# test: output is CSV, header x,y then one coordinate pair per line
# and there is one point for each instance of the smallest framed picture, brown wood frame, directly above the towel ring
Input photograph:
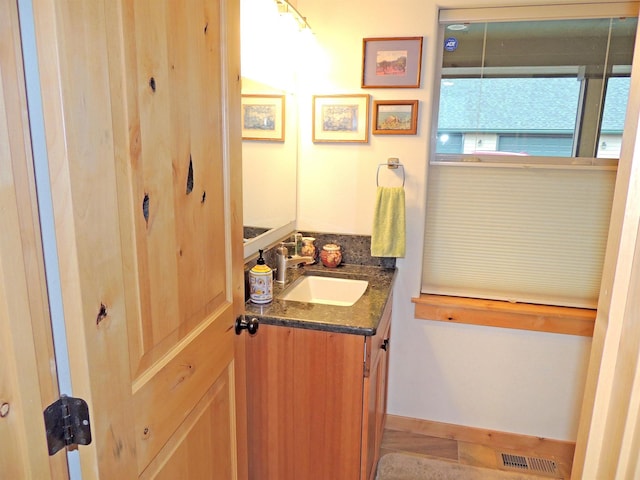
x,y
395,117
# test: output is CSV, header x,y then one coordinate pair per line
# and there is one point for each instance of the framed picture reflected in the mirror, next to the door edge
x,y
263,117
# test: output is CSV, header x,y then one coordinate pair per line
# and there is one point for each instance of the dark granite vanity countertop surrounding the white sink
x,y
362,318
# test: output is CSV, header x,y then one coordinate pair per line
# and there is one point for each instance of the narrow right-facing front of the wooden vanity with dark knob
x,y
375,395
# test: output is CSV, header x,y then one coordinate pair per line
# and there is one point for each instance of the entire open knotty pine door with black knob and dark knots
x,y
141,104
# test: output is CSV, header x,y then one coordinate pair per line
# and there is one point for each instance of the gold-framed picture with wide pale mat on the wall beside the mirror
x,y
341,118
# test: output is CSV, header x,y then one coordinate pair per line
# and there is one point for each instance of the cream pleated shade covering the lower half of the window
x,y
517,232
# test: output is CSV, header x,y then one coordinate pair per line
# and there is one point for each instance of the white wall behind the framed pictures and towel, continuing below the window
x,y
508,380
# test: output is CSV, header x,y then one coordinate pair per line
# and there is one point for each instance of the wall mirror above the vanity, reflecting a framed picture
x,y
269,164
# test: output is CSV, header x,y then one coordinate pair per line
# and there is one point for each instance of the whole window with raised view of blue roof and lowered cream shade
x,y
520,186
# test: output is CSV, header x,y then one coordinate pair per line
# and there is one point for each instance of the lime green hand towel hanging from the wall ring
x,y
388,236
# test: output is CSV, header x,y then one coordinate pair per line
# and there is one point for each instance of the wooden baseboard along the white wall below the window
x,y
560,450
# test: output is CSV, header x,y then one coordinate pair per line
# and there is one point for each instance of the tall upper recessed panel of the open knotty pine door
x,y
177,182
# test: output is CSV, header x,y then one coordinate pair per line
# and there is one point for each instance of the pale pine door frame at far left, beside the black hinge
x,y
28,383
